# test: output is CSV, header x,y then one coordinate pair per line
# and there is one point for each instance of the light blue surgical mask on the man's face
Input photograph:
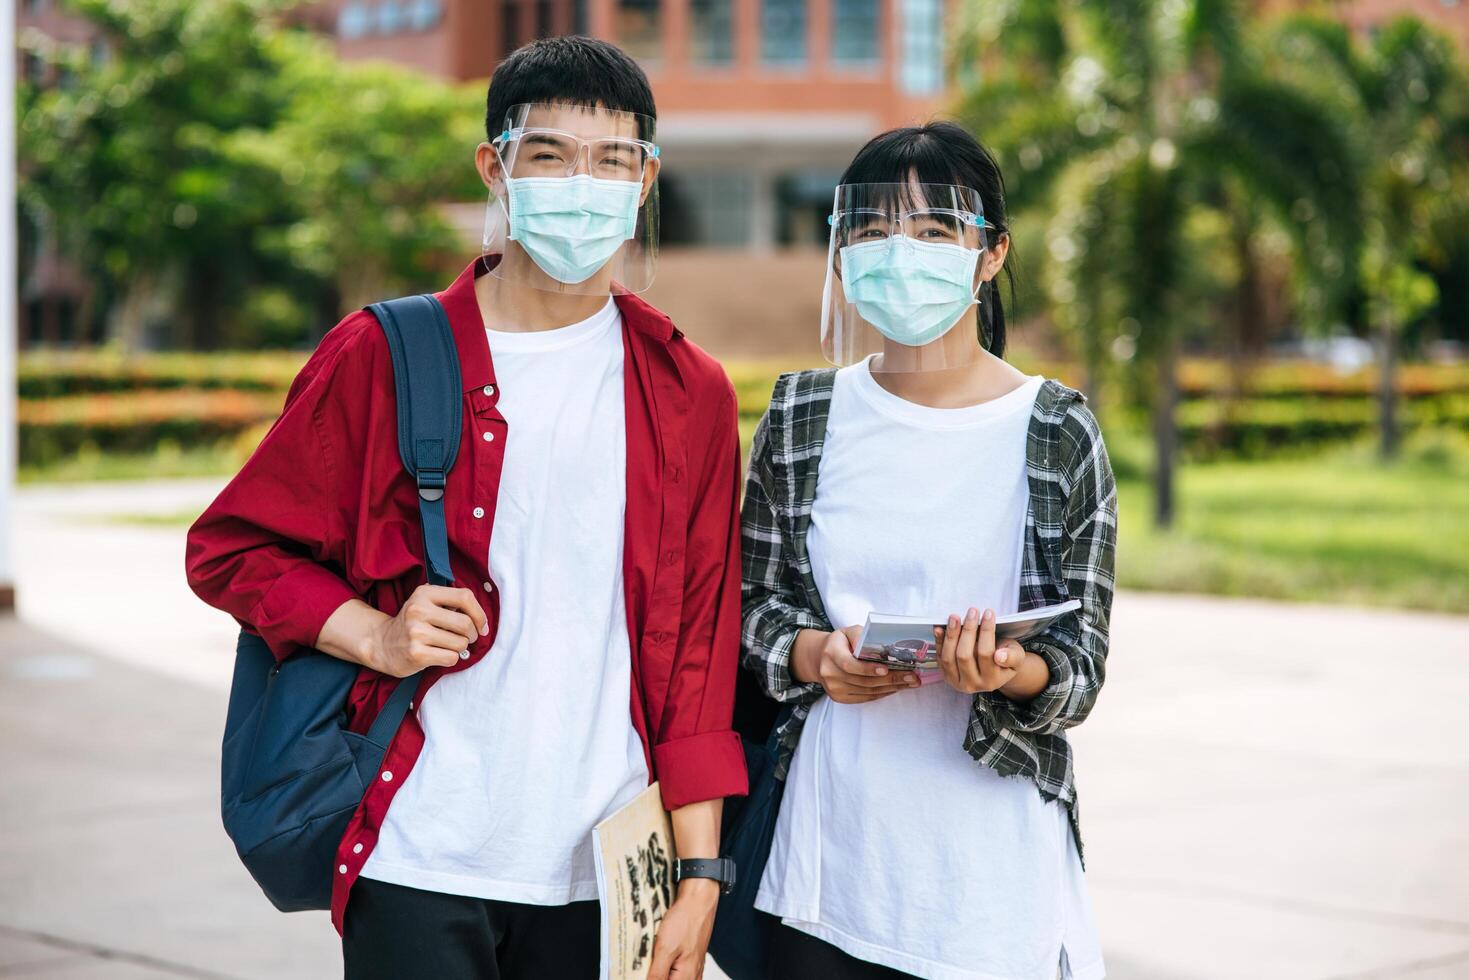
x,y
572,226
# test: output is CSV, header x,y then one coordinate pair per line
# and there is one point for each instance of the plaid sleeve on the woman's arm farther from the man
x,y
1076,647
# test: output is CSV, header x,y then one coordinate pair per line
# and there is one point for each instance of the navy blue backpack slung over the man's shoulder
x,y
292,774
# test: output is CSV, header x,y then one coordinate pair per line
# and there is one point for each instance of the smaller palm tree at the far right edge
x,y
1404,95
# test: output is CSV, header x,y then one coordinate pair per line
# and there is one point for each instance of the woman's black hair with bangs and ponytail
x,y
945,154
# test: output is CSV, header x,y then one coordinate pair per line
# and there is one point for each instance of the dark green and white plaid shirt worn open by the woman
x,y
1070,553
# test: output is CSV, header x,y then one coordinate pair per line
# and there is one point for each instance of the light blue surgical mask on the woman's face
x,y
912,292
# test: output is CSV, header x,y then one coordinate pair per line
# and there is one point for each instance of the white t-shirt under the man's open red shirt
x,y
531,747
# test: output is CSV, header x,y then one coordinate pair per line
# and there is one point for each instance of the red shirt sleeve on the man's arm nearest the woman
x,y
697,753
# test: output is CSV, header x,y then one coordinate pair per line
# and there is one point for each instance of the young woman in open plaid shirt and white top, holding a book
x,y
929,818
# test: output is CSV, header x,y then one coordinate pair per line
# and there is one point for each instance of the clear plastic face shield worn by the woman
x,y
904,273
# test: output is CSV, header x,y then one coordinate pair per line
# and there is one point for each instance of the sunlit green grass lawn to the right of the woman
x,y
1335,528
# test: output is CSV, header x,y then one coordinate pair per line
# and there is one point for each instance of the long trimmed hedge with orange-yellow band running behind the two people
x,y
133,405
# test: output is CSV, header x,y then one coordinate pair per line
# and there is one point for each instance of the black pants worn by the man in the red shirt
x,y
400,934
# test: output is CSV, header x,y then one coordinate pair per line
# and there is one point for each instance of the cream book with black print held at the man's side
x,y
634,854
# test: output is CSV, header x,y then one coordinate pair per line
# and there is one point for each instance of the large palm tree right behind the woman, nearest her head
x,y
1126,115
